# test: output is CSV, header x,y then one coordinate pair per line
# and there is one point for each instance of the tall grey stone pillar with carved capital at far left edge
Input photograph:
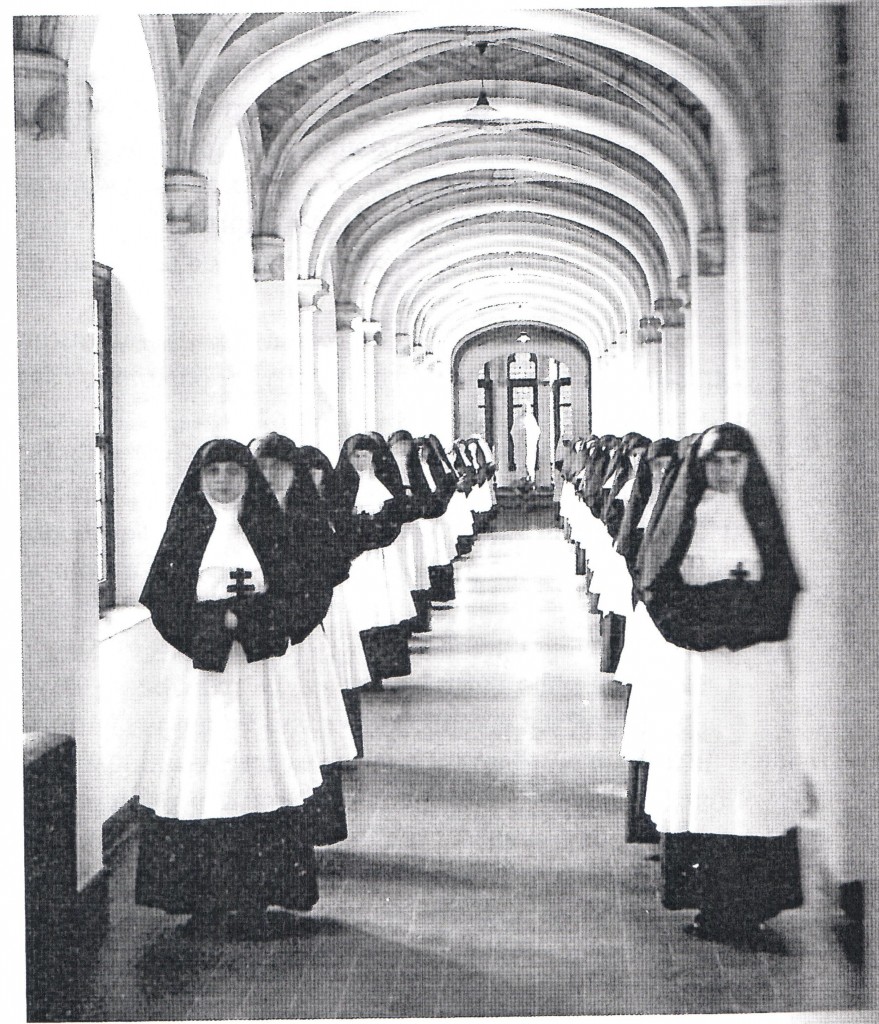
x,y
56,250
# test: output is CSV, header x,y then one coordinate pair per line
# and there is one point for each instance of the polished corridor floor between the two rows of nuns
x,y
486,874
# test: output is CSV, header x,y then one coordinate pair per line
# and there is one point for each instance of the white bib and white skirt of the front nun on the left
x,y
232,743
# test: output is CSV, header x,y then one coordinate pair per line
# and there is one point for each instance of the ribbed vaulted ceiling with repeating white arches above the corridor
x,y
615,141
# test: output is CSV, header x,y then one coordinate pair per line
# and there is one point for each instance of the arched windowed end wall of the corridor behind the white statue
x,y
500,368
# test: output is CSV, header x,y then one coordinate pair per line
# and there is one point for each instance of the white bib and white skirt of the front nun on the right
x,y
725,761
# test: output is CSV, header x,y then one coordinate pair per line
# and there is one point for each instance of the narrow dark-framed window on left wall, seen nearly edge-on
x,y
102,334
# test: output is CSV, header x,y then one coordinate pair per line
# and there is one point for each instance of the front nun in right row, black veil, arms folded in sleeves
x,y
726,789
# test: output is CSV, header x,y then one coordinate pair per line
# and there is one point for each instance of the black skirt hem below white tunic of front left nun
x,y
246,863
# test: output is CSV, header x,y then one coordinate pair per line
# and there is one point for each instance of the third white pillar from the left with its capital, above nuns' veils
x,y
277,363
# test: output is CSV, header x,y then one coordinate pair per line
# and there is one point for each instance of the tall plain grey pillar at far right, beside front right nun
x,y
818,494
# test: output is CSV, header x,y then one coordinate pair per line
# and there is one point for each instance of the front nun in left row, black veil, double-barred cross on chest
x,y
232,761
